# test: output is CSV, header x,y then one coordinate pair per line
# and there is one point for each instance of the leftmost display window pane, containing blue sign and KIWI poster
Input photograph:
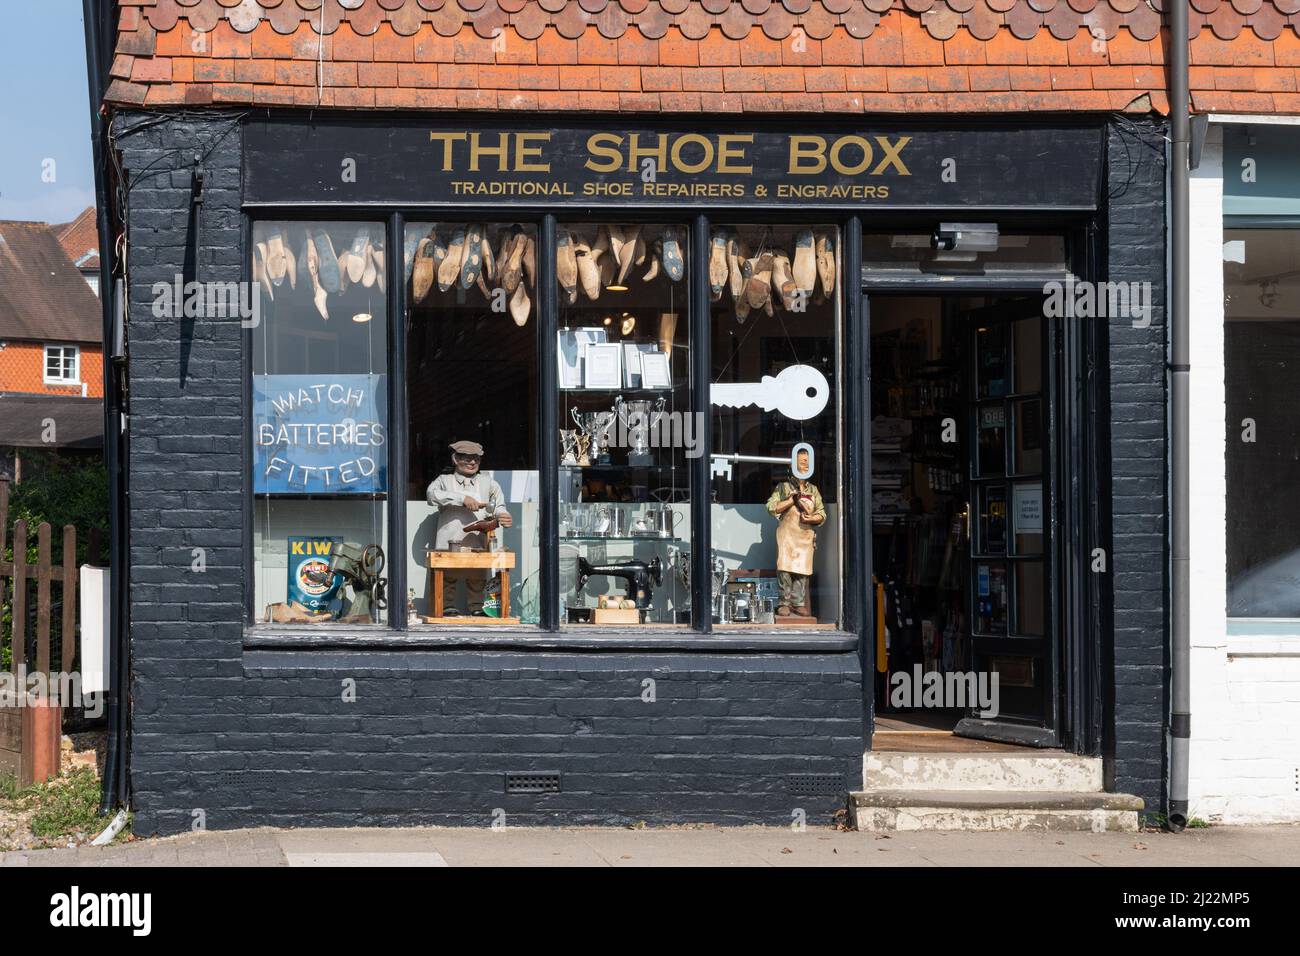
x,y
320,423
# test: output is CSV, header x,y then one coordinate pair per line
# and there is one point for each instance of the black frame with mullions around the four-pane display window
x,y
549,631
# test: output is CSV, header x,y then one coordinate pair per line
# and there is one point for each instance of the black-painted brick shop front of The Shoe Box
x,y
617,470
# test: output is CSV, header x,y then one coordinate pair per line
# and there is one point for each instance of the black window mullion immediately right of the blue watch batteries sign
x,y
398,432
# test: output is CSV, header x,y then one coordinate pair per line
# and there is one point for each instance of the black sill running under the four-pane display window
x,y
450,638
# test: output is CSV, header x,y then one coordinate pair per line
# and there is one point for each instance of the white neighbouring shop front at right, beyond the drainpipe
x,y
1246,616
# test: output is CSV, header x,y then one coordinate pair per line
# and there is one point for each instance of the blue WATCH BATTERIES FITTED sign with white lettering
x,y
320,435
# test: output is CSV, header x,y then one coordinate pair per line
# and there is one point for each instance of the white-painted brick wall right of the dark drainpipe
x,y
1246,689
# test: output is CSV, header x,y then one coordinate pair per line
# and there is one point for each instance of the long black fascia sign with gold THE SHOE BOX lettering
x,y
413,165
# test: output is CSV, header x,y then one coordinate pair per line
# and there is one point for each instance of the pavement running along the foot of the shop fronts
x,y
1264,846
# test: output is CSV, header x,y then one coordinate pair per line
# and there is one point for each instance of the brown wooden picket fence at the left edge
x,y
31,734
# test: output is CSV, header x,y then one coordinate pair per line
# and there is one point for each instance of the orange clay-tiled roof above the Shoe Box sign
x,y
691,55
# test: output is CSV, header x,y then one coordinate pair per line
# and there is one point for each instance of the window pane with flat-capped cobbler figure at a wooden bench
x,y
473,416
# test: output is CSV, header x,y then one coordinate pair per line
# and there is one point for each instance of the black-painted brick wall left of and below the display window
x,y
267,738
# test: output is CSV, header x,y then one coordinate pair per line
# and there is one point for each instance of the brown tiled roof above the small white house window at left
x,y
42,296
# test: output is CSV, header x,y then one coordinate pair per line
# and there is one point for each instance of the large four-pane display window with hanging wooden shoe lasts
x,y
629,429
